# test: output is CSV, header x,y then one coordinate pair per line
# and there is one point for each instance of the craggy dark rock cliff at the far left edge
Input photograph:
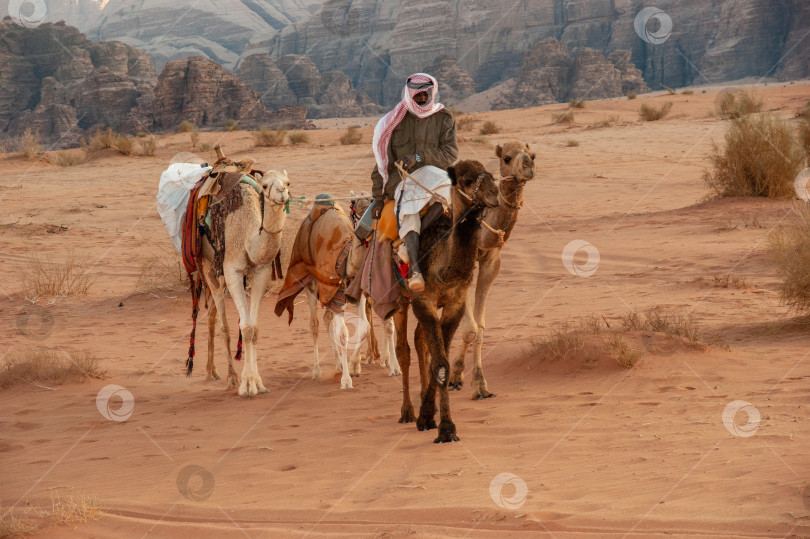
x,y
58,82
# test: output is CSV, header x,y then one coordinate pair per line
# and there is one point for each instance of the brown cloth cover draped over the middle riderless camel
x,y
319,252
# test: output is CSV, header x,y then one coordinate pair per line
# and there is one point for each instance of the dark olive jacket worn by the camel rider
x,y
433,138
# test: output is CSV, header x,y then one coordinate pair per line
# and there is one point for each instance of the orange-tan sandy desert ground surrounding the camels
x,y
600,451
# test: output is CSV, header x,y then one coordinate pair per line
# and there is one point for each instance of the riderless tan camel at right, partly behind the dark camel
x,y
517,168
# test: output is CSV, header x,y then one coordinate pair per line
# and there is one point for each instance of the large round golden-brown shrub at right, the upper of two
x,y
761,157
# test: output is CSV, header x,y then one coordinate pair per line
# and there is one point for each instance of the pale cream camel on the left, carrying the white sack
x,y
252,241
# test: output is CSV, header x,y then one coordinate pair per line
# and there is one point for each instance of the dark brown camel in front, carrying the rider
x,y
448,252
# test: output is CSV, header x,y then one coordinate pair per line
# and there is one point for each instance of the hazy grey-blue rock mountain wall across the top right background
x,y
378,43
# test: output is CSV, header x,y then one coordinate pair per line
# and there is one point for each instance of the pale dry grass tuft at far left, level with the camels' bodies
x,y
46,277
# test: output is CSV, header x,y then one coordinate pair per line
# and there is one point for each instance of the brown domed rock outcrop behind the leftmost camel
x,y
202,92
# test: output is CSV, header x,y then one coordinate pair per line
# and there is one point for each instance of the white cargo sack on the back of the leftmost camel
x,y
175,187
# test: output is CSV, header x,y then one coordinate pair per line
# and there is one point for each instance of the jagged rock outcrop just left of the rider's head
x,y
295,80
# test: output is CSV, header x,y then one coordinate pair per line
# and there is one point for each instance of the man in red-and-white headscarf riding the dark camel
x,y
418,132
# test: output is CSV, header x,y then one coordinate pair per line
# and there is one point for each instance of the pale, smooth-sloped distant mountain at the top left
x,y
216,29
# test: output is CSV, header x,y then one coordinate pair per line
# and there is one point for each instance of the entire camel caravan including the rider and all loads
x,y
414,246
